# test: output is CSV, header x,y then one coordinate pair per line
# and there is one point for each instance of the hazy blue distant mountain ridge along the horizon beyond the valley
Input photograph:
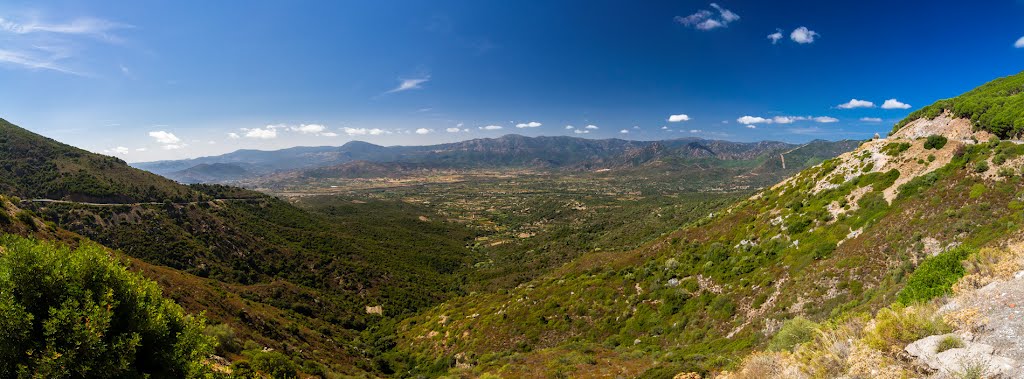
x,y
508,151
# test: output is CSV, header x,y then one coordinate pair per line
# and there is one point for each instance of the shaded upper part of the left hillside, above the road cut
x,y
33,166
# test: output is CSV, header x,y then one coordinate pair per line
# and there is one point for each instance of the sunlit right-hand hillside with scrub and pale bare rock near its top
x,y
838,239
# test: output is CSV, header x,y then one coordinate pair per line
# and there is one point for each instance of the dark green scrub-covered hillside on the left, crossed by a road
x,y
284,278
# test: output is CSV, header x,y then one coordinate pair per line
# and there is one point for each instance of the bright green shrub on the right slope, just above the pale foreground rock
x,y
935,277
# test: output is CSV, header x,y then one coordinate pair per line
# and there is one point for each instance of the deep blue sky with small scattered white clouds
x,y
177,79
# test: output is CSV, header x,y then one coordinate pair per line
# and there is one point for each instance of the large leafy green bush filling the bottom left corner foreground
x,y
80,314
